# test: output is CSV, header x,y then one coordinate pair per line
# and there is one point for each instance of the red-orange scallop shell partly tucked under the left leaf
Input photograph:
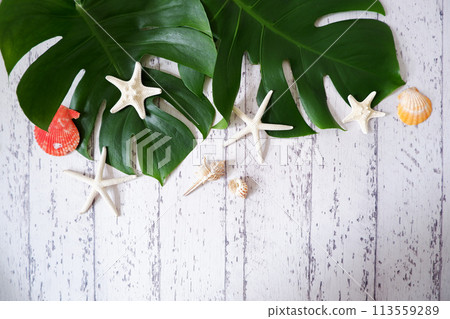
x,y
62,136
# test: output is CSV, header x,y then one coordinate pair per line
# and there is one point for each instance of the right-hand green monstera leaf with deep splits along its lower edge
x,y
358,55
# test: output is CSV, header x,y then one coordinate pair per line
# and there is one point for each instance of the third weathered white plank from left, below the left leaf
x,y
127,248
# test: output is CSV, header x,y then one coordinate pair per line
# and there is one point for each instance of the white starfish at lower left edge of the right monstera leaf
x,y
255,125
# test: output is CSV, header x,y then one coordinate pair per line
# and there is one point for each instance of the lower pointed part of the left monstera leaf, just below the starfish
x,y
162,141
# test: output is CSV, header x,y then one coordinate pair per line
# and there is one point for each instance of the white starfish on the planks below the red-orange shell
x,y
99,184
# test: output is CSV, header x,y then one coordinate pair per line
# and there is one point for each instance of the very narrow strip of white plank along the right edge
x,y
445,248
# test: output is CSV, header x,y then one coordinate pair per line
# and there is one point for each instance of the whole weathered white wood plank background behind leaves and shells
x,y
337,216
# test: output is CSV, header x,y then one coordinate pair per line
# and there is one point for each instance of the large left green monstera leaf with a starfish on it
x,y
105,37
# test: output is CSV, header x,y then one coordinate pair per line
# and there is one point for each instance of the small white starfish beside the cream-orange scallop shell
x,y
362,112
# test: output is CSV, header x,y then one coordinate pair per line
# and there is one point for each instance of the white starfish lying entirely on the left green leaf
x,y
133,92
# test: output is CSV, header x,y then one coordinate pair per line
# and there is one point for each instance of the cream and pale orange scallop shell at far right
x,y
414,107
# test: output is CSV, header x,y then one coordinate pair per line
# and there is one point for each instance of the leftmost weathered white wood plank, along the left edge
x,y
15,135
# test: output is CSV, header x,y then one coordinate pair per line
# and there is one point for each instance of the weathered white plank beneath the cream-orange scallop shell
x,y
410,165
